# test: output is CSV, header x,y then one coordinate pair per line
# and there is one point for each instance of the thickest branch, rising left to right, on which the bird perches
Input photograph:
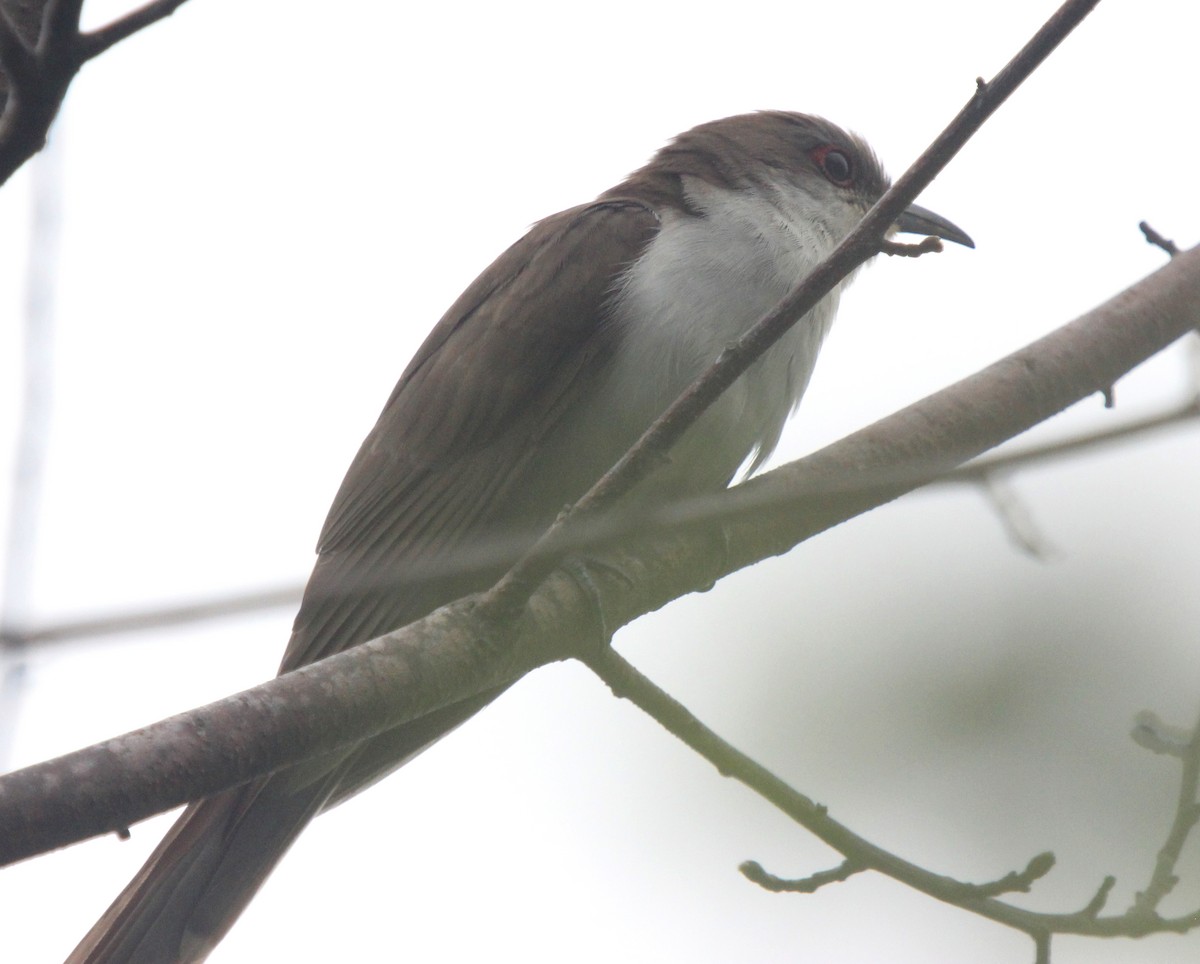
x,y
454,654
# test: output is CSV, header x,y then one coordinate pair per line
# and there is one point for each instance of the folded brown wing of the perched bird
x,y
453,446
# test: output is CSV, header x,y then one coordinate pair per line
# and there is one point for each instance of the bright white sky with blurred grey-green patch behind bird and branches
x,y
267,208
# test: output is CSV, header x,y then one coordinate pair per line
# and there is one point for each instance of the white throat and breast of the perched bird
x,y
700,286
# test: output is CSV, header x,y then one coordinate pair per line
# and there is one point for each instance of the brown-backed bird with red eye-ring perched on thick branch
x,y
543,373
